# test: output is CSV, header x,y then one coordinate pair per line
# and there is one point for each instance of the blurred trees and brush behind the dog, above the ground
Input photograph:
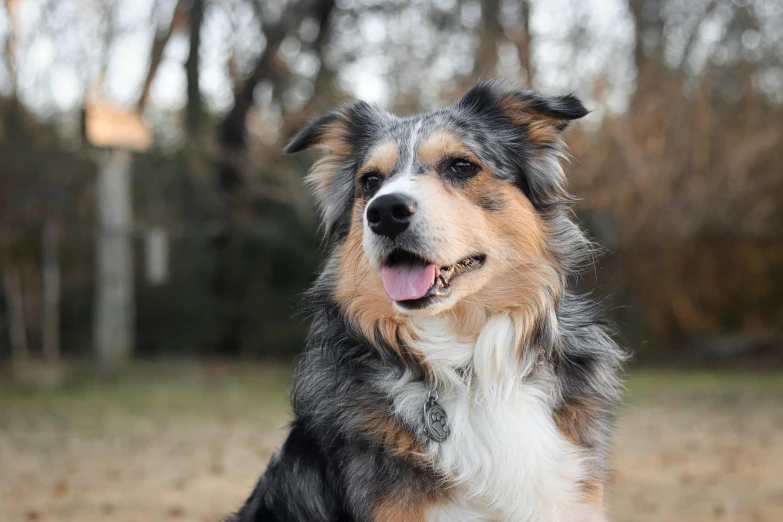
x,y
678,167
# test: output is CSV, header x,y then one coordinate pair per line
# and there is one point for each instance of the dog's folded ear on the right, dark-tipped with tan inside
x,y
544,117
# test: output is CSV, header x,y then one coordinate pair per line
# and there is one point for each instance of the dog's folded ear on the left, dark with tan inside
x,y
336,131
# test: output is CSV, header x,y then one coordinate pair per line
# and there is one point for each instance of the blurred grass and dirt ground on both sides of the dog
x,y
169,446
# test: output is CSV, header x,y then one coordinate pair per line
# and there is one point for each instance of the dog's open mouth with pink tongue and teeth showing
x,y
413,282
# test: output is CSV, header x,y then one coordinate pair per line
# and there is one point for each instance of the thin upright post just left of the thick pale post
x,y
51,293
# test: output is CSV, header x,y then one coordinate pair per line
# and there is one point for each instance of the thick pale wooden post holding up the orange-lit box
x,y
114,315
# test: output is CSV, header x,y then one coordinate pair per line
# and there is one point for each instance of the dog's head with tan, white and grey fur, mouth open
x,y
452,212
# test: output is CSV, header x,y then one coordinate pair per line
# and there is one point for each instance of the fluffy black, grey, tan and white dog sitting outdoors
x,y
451,372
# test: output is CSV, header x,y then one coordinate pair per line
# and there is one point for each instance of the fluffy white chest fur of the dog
x,y
504,457
